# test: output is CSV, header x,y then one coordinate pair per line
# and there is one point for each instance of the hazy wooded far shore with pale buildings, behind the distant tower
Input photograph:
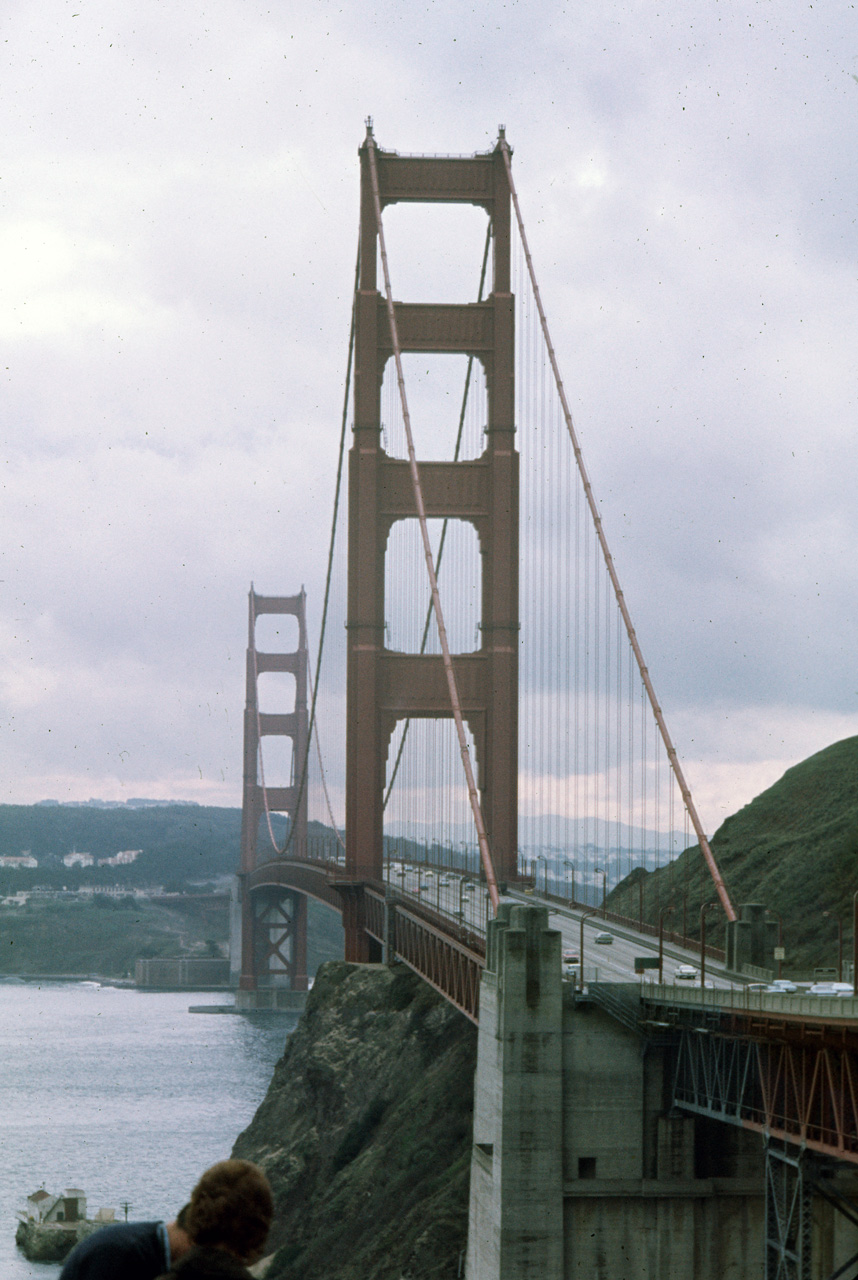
x,y
182,848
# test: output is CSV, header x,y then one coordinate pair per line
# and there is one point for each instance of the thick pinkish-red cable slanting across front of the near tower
x,y
427,550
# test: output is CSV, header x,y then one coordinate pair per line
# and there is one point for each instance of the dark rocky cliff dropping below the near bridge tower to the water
x,y
366,1132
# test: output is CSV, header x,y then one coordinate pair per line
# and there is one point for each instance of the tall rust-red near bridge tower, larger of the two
x,y
385,687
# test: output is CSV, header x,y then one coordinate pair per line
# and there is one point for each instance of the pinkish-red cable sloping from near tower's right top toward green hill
x,y
609,560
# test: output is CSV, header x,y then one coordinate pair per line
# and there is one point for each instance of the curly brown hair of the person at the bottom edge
x,y
231,1208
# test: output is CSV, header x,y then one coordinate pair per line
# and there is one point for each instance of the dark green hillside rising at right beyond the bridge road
x,y
795,849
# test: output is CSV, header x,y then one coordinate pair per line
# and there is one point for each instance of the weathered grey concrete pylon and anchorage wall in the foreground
x,y
581,1168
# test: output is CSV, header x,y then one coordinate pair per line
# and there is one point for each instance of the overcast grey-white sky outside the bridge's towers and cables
x,y
179,204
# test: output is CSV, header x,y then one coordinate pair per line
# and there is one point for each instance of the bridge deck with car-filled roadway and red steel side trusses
x,y
783,1066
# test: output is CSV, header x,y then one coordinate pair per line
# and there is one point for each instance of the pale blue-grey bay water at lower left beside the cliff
x,y
122,1094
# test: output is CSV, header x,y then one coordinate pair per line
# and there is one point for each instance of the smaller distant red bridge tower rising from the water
x,y
275,917
